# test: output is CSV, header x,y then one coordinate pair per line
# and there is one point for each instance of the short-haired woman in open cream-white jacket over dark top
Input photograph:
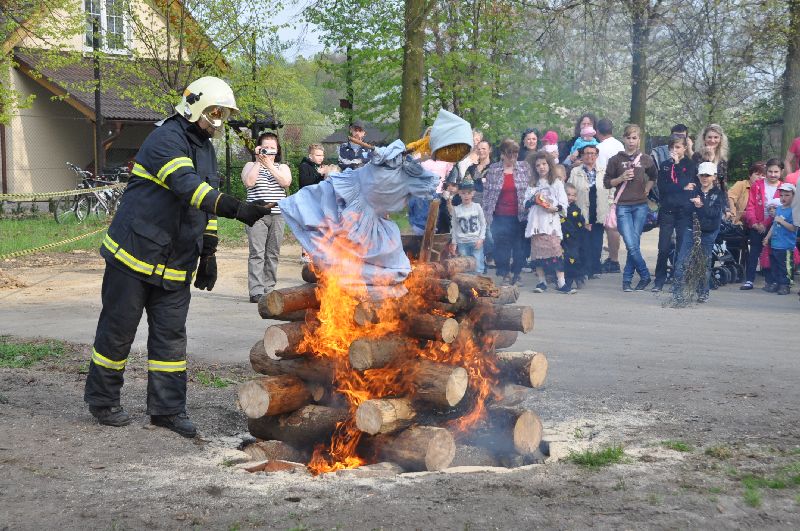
x,y
593,200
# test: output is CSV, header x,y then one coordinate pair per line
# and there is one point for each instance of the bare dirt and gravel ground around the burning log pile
x,y
720,378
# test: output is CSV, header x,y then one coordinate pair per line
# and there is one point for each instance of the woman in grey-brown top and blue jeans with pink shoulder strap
x,y
637,172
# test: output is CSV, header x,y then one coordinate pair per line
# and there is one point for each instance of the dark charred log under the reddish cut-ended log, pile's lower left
x,y
302,428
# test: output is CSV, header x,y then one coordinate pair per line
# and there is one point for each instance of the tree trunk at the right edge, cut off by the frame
x,y
791,79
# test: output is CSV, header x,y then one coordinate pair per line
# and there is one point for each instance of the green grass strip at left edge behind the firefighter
x,y
33,231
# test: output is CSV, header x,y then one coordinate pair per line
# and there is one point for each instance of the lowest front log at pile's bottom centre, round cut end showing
x,y
417,448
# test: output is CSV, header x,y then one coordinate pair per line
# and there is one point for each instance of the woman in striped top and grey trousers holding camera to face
x,y
265,179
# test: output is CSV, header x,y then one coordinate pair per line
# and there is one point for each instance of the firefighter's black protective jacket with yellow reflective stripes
x,y
157,233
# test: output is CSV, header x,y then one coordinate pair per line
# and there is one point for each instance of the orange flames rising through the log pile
x,y
341,288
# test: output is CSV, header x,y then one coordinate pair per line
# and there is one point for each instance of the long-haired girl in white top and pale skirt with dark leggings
x,y
547,200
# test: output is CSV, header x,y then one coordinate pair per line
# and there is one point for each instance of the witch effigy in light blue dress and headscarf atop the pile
x,y
353,206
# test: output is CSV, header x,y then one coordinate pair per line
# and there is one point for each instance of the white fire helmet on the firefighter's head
x,y
208,97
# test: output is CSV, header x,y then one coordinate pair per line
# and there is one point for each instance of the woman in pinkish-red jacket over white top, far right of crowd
x,y
763,194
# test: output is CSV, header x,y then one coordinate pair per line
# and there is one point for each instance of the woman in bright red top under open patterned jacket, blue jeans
x,y
504,209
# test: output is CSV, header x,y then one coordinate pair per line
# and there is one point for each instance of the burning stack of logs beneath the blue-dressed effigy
x,y
458,409
